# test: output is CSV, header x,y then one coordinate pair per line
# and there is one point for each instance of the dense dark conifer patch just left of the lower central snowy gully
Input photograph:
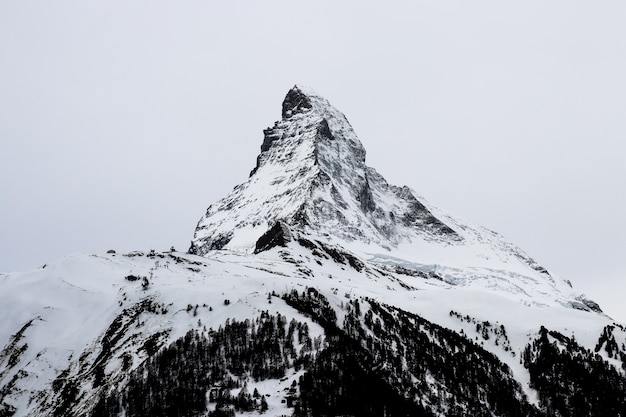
x,y
176,380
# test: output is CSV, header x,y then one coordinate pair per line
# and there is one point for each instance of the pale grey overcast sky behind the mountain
x,y
121,121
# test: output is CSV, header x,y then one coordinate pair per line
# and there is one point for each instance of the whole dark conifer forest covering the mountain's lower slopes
x,y
381,361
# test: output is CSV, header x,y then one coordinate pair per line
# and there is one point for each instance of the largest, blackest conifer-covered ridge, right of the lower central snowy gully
x,y
382,364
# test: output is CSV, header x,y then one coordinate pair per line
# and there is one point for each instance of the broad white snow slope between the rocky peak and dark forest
x,y
69,307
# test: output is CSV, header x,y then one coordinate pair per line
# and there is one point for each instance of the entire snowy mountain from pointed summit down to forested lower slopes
x,y
315,288
